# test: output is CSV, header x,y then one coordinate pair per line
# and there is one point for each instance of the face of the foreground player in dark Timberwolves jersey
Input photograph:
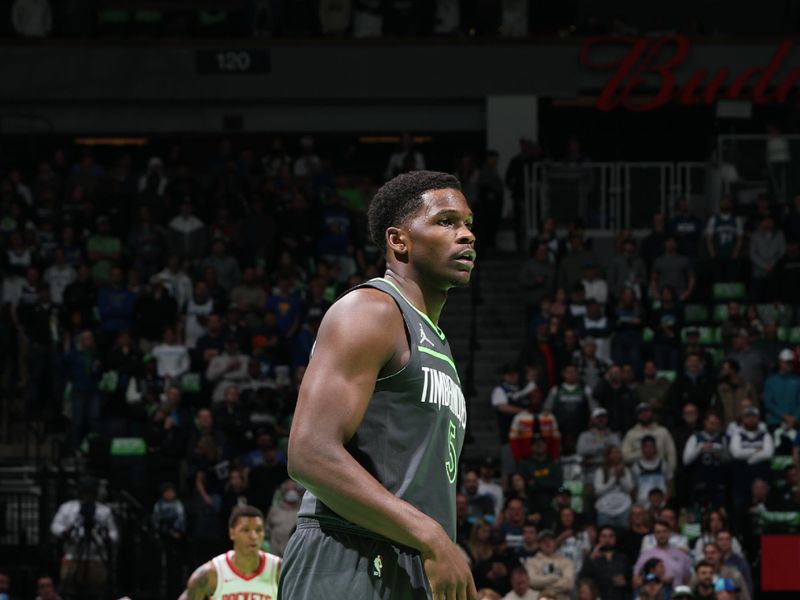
x,y
441,244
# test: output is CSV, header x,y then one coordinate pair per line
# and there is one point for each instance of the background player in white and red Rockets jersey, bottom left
x,y
245,573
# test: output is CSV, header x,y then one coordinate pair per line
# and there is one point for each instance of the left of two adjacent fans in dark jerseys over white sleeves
x,y
705,459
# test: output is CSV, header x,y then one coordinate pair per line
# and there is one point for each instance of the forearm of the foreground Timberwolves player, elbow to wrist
x,y
335,477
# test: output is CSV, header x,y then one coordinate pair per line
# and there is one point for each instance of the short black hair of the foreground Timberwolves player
x,y
398,198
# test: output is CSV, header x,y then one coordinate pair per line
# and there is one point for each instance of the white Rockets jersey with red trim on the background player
x,y
261,584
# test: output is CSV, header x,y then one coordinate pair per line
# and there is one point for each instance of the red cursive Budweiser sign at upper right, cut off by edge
x,y
649,66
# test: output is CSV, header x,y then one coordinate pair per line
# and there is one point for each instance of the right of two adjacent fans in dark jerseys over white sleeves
x,y
752,449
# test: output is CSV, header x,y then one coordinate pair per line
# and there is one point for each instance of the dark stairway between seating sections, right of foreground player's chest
x,y
499,321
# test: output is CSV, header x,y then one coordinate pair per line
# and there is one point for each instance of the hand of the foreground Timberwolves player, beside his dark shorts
x,y
448,572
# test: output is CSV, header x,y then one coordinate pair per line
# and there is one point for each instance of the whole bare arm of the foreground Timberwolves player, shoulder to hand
x,y
361,338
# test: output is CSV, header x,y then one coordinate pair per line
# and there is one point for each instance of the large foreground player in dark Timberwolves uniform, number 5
x,y
380,418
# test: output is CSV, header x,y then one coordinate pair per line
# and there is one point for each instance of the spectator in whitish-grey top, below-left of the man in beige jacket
x,y
612,485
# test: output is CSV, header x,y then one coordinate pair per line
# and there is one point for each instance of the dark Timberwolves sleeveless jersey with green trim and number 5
x,y
413,429
